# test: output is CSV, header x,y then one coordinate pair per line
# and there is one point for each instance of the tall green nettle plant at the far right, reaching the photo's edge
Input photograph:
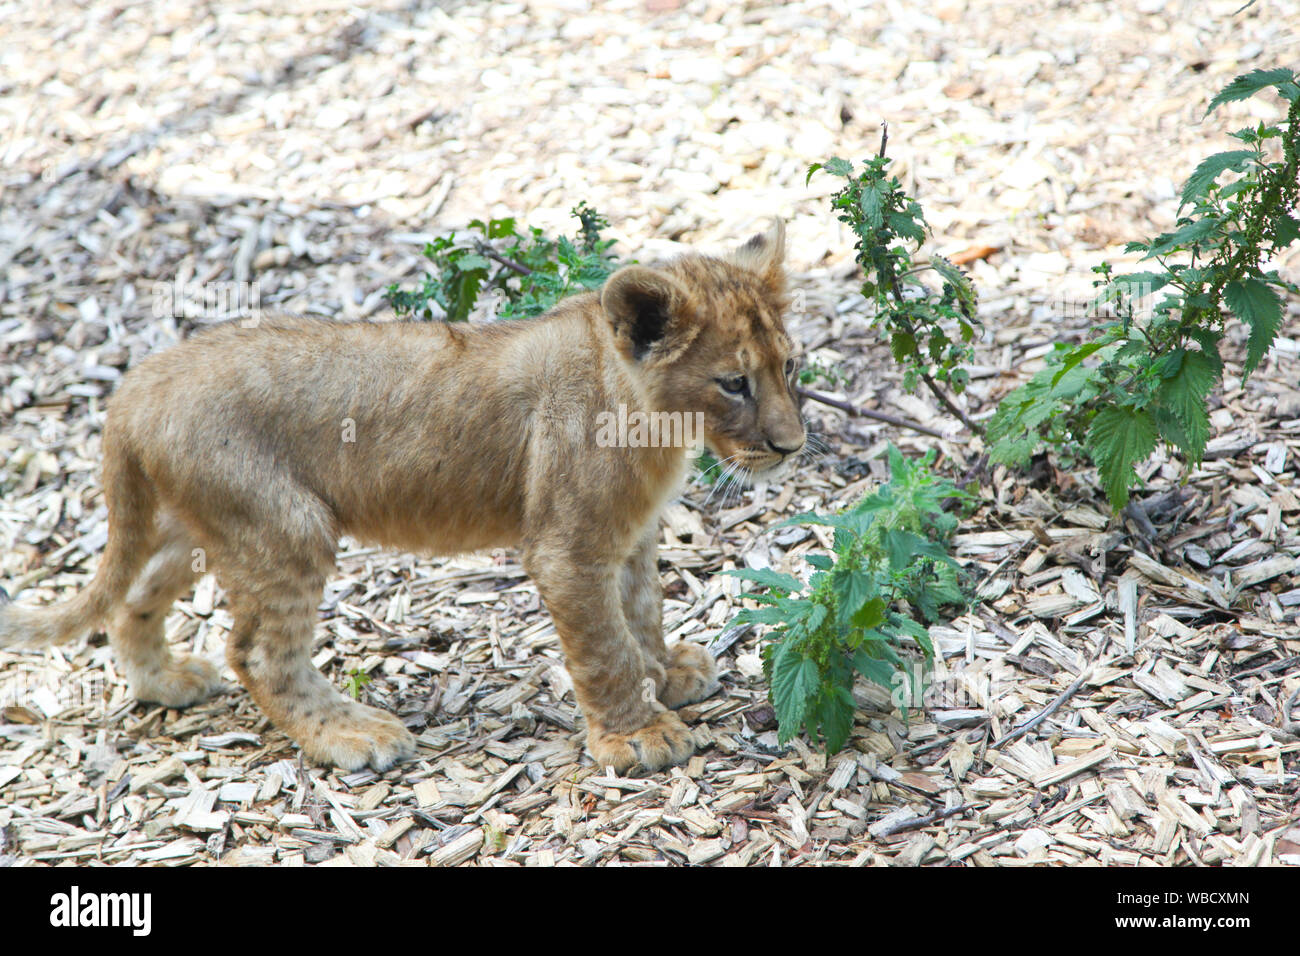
x,y
1145,379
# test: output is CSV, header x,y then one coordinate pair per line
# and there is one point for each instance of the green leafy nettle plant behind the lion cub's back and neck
x,y
527,274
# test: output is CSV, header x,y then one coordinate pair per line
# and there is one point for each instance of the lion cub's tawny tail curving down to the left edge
x,y
132,504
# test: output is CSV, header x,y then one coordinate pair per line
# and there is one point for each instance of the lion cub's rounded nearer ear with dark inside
x,y
649,312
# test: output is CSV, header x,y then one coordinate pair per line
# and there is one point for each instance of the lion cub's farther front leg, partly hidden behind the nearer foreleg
x,y
684,673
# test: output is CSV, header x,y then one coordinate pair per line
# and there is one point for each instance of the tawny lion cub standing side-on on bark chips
x,y
263,445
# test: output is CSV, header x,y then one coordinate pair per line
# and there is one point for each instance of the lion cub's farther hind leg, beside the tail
x,y
136,630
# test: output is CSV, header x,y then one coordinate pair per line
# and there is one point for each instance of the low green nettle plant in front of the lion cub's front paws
x,y
859,612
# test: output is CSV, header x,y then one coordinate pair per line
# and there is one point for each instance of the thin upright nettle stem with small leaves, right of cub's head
x,y
931,334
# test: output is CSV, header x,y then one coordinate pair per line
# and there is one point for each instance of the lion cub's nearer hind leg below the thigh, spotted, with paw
x,y
274,599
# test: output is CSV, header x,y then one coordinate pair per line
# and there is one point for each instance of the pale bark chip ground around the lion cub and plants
x,y
311,154
